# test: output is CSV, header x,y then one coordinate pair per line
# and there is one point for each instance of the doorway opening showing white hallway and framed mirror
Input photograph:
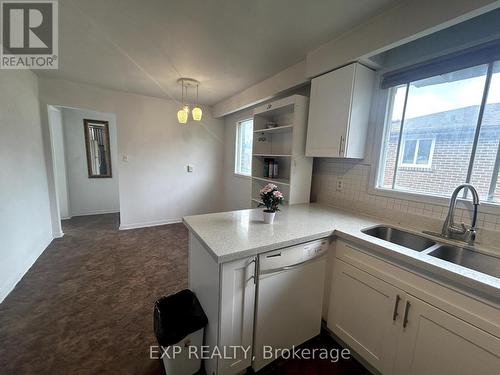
x,y
85,161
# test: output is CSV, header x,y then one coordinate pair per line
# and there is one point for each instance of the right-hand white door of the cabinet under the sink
x,y
435,342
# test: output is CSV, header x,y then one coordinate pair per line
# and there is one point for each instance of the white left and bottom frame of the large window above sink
x,y
381,104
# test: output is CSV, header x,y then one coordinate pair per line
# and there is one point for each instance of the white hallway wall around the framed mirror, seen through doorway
x,y
89,196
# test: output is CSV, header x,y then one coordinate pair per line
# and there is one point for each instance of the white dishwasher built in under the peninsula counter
x,y
289,298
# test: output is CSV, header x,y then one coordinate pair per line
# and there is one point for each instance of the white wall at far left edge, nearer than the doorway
x,y
25,222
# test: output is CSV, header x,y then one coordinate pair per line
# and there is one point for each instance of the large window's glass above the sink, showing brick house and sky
x,y
438,135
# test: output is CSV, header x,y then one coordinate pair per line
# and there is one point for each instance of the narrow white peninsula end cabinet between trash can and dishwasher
x,y
227,294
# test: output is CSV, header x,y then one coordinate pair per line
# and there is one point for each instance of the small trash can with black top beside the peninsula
x,y
179,322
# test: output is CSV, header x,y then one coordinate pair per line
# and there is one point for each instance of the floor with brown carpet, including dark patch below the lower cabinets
x,y
85,307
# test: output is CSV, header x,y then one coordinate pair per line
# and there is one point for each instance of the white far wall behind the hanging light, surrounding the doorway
x,y
154,186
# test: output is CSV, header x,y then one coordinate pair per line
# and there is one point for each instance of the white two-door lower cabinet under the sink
x,y
398,333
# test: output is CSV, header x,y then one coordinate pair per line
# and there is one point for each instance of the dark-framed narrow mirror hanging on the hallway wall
x,y
97,146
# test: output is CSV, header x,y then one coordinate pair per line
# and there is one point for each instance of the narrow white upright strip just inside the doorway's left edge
x,y
58,153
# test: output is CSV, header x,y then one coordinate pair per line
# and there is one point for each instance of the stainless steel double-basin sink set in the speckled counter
x,y
461,256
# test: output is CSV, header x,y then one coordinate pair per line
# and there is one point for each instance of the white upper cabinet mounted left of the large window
x,y
339,111
